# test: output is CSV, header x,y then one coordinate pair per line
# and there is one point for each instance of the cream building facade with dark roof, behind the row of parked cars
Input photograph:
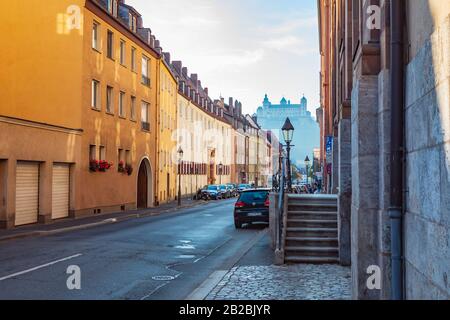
x,y
203,133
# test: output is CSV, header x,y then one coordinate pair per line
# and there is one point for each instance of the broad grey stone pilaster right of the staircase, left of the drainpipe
x,y
364,208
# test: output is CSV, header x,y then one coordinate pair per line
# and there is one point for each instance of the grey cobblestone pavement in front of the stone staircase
x,y
290,282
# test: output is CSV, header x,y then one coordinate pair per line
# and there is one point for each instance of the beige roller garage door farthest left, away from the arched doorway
x,y
27,193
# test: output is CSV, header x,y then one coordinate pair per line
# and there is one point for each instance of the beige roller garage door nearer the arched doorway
x,y
60,191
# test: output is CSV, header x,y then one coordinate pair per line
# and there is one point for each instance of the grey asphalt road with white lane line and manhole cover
x,y
163,257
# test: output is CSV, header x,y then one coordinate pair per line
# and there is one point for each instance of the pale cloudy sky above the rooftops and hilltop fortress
x,y
242,48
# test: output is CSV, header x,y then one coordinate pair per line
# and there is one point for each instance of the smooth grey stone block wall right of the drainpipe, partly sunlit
x,y
427,219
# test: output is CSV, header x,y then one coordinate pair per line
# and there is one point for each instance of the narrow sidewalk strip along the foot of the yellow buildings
x,y
71,224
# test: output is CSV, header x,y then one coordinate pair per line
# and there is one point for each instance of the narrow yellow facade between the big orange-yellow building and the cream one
x,y
167,125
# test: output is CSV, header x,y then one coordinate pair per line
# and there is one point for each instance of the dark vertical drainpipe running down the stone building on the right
x,y
397,146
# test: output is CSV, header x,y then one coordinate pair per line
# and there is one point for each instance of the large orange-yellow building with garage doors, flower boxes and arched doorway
x,y
78,113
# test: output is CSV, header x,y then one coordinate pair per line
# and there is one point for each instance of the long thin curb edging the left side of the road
x,y
38,233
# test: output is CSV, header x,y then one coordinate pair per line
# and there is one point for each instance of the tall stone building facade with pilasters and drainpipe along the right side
x,y
385,103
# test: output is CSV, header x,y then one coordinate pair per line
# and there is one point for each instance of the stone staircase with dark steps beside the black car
x,y
311,233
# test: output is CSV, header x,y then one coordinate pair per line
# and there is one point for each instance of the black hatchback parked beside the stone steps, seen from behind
x,y
252,206
